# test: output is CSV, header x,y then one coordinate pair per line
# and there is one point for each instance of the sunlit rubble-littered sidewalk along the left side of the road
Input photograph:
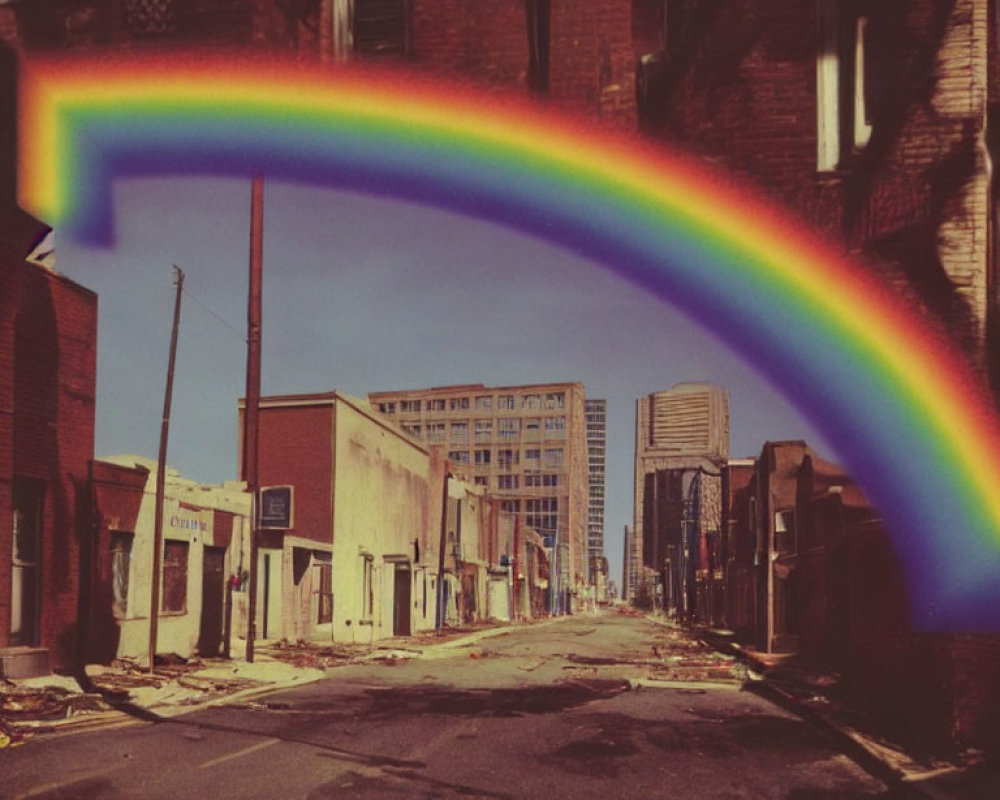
x,y
124,692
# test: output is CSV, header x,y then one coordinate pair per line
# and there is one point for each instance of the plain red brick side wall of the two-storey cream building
x,y
296,449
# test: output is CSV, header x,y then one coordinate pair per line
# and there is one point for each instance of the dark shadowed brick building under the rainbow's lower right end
x,y
812,574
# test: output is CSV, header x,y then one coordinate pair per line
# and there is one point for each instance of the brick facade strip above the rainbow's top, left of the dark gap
x,y
578,59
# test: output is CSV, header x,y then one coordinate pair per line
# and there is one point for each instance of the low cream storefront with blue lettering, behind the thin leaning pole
x,y
205,553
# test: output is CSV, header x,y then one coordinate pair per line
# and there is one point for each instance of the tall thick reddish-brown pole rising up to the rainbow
x,y
252,411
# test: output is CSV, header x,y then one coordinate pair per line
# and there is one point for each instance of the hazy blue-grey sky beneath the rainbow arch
x,y
364,294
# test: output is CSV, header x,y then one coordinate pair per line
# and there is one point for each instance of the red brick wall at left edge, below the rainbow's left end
x,y
53,355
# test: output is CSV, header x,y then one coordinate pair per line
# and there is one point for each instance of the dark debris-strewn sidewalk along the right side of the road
x,y
817,696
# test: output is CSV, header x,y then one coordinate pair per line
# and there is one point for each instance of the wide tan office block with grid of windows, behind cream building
x,y
526,444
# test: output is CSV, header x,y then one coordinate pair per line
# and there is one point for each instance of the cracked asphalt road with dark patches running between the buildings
x,y
556,710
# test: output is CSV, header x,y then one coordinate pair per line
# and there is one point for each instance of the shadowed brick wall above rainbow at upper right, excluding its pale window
x,y
741,91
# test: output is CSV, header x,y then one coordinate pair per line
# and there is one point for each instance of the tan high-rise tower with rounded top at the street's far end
x,y
684,432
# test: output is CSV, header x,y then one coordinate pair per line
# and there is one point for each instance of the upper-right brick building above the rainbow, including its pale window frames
x,y
867,119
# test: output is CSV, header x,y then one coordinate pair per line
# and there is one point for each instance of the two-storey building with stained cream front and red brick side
x,y
360,560
